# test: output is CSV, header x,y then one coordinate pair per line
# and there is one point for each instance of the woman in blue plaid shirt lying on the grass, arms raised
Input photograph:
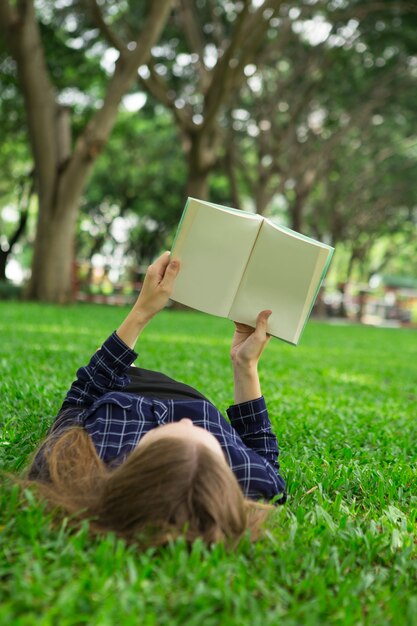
x,y
143,455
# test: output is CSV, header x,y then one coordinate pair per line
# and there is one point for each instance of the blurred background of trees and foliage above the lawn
x,y
113,112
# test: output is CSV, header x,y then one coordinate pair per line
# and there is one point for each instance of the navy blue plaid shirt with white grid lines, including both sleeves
x,y
116,420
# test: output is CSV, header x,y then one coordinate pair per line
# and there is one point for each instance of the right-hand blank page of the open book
x,y
282,275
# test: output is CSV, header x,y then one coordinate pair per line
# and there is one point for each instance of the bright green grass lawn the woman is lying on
x,y
341,551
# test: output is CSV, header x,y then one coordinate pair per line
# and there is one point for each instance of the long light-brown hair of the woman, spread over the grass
x,y
167,488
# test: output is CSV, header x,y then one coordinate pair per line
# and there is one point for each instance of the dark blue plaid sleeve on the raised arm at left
x,y
105,372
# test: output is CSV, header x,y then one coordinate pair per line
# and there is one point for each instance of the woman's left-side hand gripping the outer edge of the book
x,y
157,286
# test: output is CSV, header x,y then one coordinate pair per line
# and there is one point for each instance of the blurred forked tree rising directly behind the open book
x,y
198,68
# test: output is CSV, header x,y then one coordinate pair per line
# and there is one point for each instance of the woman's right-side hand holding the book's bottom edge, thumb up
x,y
249,343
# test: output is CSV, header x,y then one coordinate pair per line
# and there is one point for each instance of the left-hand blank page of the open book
x,y
213,245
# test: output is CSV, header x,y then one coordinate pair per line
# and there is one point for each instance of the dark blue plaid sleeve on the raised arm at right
x,y
251,422
